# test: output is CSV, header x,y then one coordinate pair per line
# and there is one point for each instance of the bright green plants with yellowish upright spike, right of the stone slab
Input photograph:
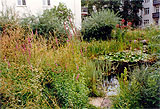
x,y
128,94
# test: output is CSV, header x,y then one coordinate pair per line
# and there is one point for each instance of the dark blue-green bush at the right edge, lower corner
x,y
149,79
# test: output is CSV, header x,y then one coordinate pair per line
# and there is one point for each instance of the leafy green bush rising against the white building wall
x,y
51,22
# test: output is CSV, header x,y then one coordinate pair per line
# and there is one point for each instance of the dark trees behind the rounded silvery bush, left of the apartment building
x,y
128,9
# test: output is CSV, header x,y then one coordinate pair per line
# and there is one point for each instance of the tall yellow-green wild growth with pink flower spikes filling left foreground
x,y
36,75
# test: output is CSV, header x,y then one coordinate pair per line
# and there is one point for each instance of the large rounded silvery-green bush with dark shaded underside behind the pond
x,y
99,25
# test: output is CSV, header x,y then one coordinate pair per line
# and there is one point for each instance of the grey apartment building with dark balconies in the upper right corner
x,y
150,13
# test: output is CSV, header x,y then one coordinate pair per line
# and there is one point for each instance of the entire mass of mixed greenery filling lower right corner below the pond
x,y
142,91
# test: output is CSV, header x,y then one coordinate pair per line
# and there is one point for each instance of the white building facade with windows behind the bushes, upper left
x,y
35,7
